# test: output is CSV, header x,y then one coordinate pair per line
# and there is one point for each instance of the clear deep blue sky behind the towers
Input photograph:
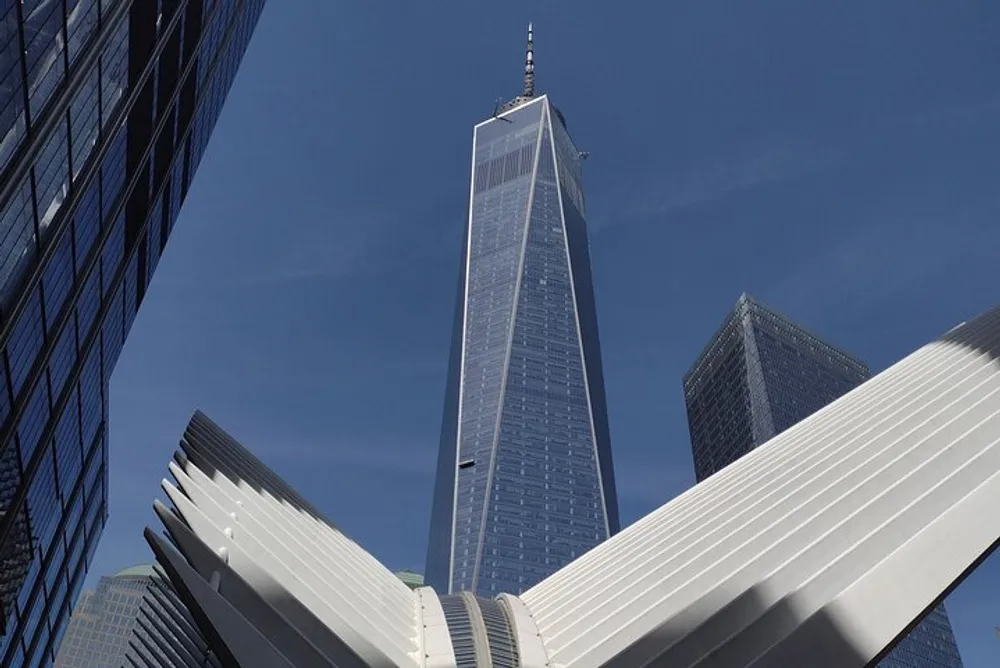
x,y
836,160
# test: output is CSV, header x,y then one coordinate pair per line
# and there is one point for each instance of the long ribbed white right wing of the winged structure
x,y
794,527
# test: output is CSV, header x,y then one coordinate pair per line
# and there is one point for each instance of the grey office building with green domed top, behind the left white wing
x,y
133,618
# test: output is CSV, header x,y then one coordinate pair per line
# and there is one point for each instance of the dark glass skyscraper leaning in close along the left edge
x,y
105,110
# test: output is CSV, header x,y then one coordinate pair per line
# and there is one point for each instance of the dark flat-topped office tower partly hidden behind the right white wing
x,y
759,375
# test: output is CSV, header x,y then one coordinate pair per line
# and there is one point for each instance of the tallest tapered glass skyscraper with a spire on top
x,y
524,478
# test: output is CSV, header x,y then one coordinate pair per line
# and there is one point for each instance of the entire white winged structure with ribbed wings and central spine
x,y
820,548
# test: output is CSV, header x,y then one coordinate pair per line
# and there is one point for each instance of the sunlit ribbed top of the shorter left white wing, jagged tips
x,y
273,539
